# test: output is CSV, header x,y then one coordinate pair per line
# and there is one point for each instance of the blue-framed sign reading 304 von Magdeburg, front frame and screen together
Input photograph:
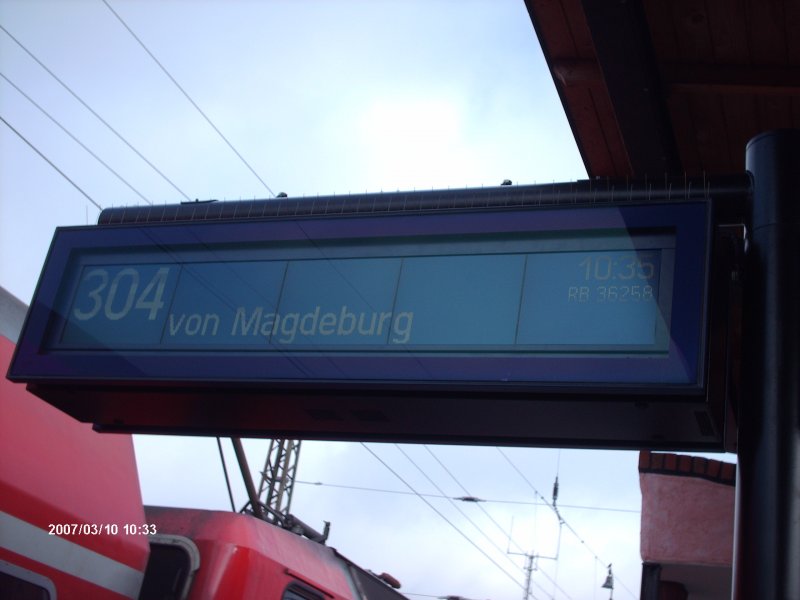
x,y
472,303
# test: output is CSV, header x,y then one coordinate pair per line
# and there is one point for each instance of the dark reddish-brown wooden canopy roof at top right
x,y
652,87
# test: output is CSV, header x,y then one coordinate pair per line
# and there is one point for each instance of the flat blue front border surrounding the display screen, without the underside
x,y
115,359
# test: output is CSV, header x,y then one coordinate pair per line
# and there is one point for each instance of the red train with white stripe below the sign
x,y
72,523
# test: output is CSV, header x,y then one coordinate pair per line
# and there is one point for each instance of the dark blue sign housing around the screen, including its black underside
x,y
357,393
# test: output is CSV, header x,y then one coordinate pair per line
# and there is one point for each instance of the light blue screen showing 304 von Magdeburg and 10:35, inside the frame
x,y
526,294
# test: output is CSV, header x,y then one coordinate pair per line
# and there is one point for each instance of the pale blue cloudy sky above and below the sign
x,y
319,98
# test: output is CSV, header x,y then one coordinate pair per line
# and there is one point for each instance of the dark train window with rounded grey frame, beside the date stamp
x,y
174,559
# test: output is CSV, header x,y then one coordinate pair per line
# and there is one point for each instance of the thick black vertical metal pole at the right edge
x,y
766,560
